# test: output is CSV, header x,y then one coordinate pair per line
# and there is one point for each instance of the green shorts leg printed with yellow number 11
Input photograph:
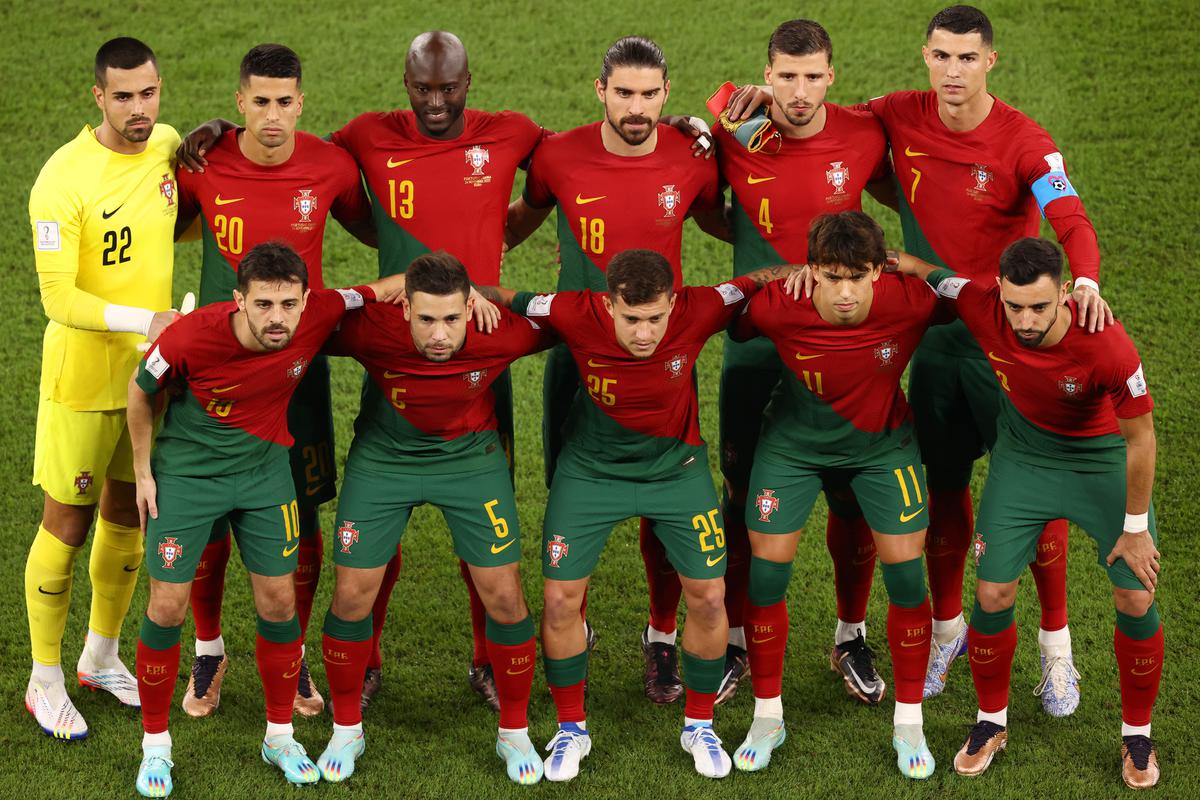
x,y
893,494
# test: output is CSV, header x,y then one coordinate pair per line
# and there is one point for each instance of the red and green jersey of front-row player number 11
x,y
839,402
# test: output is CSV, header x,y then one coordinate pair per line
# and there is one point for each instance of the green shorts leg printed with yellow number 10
x,y
266,520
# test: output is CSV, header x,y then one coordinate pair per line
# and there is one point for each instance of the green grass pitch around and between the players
x,y
1108,80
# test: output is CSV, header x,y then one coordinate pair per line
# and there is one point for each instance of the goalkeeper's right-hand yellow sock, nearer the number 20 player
x,y
117,555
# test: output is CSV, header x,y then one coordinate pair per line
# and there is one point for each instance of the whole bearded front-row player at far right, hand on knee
x,y
1076,440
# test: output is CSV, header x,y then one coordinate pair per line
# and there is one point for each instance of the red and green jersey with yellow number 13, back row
x,y
431,195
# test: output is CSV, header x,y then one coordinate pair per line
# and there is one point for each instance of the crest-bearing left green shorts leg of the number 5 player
x,y
373,513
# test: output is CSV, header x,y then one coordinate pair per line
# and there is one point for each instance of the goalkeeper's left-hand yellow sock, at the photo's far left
x,y
49,594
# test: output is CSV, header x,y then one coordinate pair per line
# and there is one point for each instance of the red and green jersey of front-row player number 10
x,y
233,413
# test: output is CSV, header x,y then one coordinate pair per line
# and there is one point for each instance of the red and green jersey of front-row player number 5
x,y
428,417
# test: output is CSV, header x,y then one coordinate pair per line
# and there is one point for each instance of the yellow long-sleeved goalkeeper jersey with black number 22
x,y
104,226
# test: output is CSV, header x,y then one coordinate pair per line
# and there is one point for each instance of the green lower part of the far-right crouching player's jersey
x,y
1021,440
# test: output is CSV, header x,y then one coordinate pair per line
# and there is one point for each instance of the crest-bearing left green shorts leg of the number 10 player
x,y
188,508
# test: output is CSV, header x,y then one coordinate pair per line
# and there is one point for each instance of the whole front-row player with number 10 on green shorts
x,y
223,453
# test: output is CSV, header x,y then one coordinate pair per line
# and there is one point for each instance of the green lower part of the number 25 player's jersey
x,y
599,447
